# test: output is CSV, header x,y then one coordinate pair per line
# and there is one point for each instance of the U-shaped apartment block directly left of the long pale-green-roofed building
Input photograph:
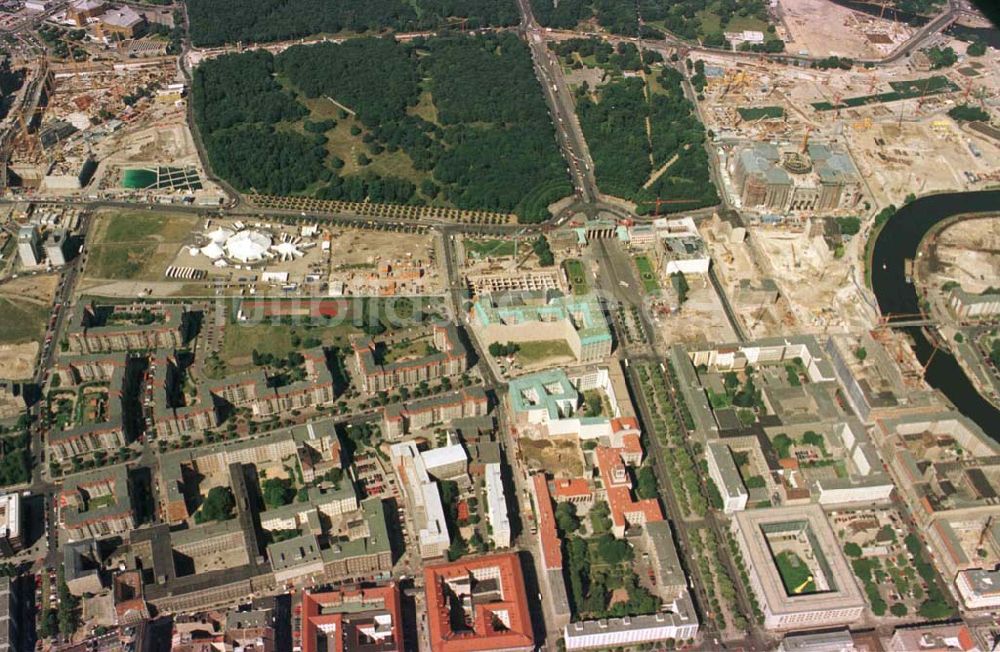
x,y
377,375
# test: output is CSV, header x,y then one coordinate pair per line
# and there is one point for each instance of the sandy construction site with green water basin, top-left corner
x,y
104,123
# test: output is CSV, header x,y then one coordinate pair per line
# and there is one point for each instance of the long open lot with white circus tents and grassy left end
x,y
183,254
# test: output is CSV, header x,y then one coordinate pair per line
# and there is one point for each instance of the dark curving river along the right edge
x,y
899,240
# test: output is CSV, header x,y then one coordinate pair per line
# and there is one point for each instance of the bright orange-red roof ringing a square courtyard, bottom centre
x,y
483,636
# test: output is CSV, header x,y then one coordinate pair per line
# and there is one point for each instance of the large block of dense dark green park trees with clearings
x,y
492,146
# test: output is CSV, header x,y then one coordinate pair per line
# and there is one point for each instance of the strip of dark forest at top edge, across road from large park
x,y
215,22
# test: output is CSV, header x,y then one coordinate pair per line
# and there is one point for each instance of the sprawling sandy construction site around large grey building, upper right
x,y
890,125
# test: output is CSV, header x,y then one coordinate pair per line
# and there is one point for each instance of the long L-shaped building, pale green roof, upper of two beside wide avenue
x,y
545,316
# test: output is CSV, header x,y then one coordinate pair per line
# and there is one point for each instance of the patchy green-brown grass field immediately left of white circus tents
x,y
136,246
